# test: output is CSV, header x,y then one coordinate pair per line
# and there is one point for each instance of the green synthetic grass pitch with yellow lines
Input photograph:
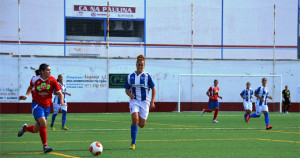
x,y
184,134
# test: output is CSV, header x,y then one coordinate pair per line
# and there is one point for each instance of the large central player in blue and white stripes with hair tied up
x,y
137,87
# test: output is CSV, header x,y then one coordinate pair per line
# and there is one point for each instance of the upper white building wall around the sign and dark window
x,y
248,23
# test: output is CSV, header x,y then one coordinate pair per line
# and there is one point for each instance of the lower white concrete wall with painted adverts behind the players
x,y
93,85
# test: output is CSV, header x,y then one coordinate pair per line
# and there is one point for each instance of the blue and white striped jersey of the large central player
x,y
139,85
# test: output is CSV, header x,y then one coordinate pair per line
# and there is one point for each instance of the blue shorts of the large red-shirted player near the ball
x,y
39,111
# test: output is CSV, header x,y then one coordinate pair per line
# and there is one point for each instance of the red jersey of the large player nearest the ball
x,y
43,89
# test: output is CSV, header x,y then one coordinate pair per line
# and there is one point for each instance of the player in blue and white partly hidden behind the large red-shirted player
x,y
56,104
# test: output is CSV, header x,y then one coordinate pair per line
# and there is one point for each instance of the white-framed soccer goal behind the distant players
x,y
192,90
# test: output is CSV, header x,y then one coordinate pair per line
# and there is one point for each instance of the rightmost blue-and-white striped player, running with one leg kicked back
x,y
261,105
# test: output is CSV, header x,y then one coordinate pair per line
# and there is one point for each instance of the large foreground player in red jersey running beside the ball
x,y
42,87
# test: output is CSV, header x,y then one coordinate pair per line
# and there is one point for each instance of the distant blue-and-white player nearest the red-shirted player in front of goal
x,y
247,95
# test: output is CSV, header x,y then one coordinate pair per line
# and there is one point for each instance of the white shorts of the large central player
x,y
142,107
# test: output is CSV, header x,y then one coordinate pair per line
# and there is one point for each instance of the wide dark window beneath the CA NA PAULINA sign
x,y
95,30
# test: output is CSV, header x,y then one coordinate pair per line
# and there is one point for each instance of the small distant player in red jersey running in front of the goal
x,y
213,104
